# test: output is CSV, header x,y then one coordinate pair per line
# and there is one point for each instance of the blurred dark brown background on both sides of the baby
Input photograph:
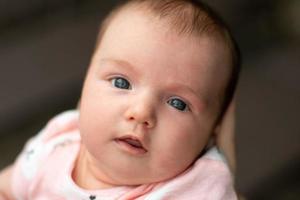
x,y
46,45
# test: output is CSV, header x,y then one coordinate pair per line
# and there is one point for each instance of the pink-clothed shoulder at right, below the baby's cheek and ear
x,y
208,178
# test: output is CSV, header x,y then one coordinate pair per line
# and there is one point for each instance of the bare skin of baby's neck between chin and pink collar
x,y
86,174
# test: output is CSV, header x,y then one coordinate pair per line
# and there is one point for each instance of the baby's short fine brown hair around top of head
x,y
188,17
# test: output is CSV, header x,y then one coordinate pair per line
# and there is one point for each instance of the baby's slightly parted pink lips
x,y
131,144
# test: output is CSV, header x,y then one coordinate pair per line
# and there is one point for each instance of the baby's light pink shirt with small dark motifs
x,y
43,171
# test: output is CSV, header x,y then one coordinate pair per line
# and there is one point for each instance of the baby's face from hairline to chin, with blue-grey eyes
x,y
150,100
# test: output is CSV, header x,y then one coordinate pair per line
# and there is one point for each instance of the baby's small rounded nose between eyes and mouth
x,y
141,111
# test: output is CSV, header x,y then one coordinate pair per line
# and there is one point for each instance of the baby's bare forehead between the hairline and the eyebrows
x,y
145,40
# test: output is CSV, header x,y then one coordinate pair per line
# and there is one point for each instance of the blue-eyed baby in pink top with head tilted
x,y
161,78
